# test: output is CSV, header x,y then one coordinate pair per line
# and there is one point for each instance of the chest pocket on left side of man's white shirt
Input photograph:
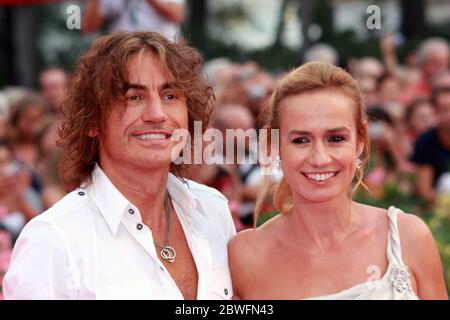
x,y
127,290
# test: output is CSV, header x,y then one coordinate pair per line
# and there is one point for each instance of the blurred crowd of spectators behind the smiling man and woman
x,y
408,105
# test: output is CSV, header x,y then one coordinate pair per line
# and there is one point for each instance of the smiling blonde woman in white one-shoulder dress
x,y
323,245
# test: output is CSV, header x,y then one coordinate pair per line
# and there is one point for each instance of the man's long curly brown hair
x,y
97,85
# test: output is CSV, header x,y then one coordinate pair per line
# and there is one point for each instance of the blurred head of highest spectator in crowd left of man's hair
x,y
52,84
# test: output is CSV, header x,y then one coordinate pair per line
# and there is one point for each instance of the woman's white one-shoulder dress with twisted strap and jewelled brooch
x,y
394,285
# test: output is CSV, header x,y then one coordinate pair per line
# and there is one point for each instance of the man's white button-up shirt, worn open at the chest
x,y
93,245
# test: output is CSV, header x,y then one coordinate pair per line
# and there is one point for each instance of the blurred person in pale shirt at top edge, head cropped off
x,y
163,16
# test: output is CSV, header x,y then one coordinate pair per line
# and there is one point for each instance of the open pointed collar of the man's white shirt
x,y
113,204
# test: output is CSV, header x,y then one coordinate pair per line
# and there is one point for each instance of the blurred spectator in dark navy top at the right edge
x,y
432,149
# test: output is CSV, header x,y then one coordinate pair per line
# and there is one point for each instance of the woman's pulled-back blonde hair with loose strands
x,y
312,77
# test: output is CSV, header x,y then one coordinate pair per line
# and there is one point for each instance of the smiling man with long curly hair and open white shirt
x,y
131,227
